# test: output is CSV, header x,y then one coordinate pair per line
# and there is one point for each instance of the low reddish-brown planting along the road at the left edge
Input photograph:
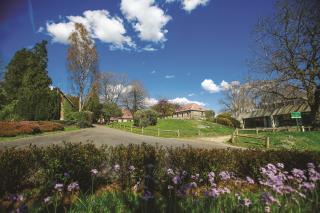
x,y
14,128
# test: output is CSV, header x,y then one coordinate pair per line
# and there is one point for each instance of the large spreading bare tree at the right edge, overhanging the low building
x,y
289,52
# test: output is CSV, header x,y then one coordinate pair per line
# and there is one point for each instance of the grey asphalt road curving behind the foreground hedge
x,y
100,135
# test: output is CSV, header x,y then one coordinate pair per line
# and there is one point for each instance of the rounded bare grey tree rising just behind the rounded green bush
x,y
134,96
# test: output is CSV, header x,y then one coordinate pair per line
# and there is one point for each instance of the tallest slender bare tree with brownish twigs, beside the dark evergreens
x,y
82,60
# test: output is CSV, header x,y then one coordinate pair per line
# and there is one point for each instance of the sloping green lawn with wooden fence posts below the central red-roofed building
x,y
187,128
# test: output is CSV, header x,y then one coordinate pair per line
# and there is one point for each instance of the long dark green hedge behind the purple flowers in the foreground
x,y
41,168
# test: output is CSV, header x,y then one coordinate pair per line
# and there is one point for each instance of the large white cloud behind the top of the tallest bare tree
x,y
100,25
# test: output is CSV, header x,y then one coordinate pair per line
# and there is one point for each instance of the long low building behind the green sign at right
x,y
276,117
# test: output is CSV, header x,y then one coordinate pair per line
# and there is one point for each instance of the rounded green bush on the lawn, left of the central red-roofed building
x,y
146,117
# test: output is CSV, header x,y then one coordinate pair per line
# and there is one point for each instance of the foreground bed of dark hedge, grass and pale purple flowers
x,y
143,178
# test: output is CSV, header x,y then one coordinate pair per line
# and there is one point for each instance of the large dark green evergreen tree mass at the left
x,y
27,82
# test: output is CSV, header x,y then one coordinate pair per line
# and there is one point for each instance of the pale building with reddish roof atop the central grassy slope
x,y
190,111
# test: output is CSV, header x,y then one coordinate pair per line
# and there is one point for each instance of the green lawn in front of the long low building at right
x,y
287,140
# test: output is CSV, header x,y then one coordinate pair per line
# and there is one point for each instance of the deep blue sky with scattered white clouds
x,y
187,50
